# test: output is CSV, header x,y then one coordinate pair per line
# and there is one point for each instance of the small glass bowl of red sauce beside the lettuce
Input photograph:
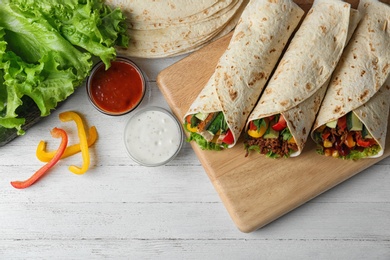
x,y
117,90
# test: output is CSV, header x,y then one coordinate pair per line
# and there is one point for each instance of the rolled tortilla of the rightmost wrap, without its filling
x,y
359,82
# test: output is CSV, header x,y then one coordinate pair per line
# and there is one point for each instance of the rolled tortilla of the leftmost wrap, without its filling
x,y
244,68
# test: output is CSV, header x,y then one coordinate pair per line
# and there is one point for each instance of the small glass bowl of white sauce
x,y
153,136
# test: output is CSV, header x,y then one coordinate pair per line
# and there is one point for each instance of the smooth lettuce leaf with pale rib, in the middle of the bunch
x,y
33,37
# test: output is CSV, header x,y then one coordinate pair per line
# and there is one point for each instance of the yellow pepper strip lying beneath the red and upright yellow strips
x,y
45,156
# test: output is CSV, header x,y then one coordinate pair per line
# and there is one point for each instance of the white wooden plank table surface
x,y
120,210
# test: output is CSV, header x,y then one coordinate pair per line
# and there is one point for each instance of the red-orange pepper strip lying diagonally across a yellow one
x,y
57,133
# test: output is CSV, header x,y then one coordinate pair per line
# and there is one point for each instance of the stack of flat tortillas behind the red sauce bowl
x,y
164,28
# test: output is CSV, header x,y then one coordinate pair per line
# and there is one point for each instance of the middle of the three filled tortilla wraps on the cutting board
x,y
298,85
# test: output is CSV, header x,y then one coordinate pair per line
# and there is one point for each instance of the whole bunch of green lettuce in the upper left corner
x,y
46,50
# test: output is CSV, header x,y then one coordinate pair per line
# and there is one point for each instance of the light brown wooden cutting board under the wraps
x,y
255,190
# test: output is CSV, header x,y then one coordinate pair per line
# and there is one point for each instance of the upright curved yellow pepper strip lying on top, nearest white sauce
x,y
68,116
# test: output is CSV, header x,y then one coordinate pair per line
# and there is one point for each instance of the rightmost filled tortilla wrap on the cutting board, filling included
x,y
359,90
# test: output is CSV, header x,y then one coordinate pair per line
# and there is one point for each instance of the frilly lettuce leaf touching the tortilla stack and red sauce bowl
x,y
90,25
